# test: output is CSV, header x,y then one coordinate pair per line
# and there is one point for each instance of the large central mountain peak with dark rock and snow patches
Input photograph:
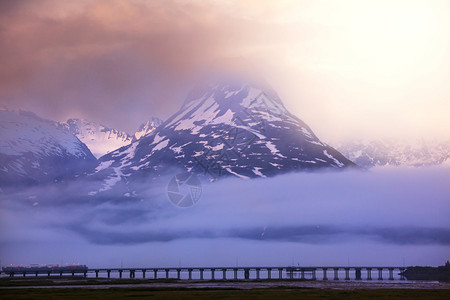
x,y
224,129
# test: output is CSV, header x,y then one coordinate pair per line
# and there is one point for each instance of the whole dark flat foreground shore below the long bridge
x,y
173,289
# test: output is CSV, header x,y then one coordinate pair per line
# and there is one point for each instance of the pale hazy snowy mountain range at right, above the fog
x,y
368,154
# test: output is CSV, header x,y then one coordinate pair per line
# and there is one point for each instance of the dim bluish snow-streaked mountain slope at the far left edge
x,y
35,150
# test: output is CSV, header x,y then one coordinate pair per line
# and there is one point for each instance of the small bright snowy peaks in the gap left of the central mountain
x,y
101,139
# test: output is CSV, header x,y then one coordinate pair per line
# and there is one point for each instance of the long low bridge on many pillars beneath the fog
x,y
220,273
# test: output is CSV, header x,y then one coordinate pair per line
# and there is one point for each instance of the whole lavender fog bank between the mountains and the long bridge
x,y
384,216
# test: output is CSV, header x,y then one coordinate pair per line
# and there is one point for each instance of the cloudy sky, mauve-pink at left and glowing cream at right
x,y
349,69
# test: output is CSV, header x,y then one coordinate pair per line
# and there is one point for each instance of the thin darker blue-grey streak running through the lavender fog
x,y
411,235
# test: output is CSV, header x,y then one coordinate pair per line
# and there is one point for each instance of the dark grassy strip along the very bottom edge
x,y
180,293
